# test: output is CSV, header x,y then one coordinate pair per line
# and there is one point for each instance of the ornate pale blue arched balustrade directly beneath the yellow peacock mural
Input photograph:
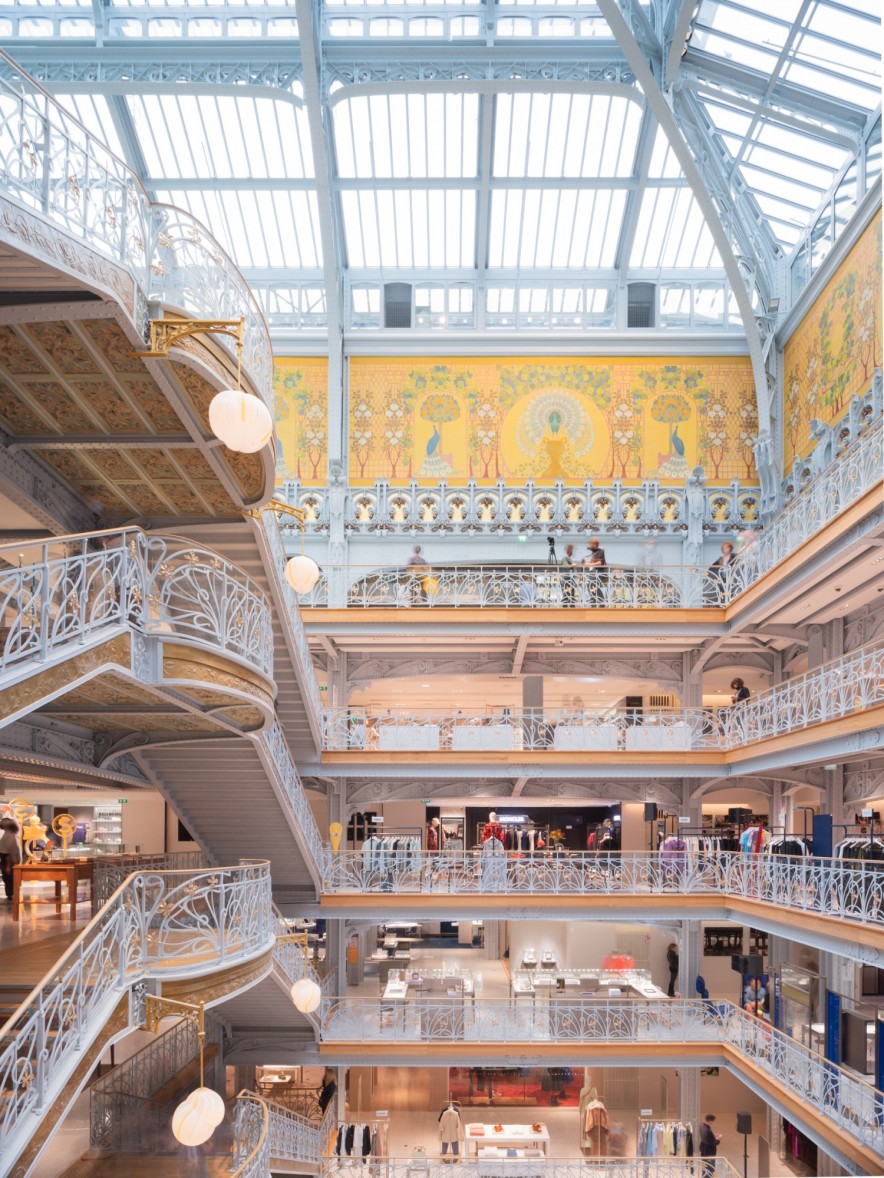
x,y
504,509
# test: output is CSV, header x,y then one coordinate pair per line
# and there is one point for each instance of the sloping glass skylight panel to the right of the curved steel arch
x,y
787,143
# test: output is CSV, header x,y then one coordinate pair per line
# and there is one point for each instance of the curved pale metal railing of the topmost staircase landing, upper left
x,y
55,168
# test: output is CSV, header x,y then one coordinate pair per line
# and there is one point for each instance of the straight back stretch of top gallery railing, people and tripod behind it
x,y
520,587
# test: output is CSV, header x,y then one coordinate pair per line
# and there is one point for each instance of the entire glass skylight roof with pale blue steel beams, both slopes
x,y
499,189
